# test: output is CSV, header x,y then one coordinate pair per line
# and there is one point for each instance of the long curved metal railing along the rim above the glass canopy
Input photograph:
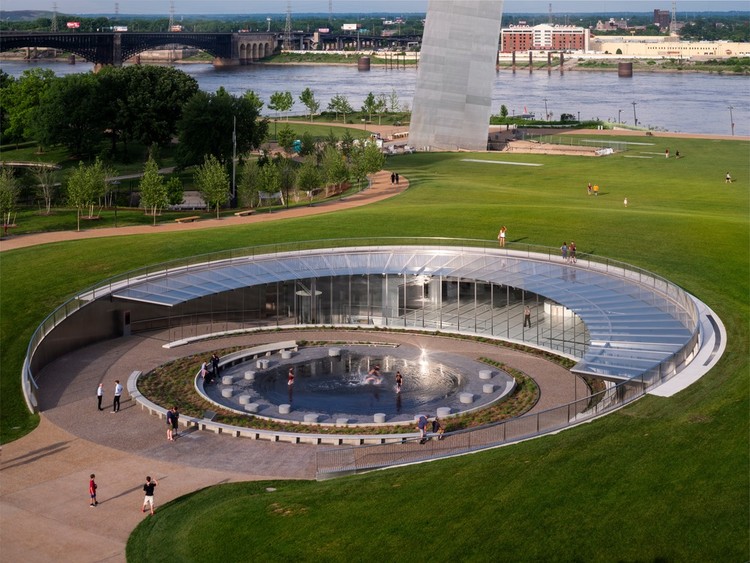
x,y
683,305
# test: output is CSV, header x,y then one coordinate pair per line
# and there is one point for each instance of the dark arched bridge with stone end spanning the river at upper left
x,y
228,49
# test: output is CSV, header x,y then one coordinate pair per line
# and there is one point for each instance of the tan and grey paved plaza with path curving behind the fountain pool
x,y
44,502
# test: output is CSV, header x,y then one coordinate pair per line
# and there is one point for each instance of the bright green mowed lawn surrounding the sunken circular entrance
x,y
663,479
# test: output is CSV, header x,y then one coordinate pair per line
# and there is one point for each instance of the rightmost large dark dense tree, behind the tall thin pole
x,y
208,127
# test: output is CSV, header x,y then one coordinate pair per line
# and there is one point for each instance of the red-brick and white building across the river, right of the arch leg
x,y
544,37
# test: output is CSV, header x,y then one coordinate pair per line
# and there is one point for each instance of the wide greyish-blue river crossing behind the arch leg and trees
x,y
688,103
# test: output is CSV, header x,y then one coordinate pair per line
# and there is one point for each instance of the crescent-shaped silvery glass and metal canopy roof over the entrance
x,y
636,321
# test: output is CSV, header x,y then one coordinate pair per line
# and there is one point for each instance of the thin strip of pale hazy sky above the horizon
x,y
365,6
